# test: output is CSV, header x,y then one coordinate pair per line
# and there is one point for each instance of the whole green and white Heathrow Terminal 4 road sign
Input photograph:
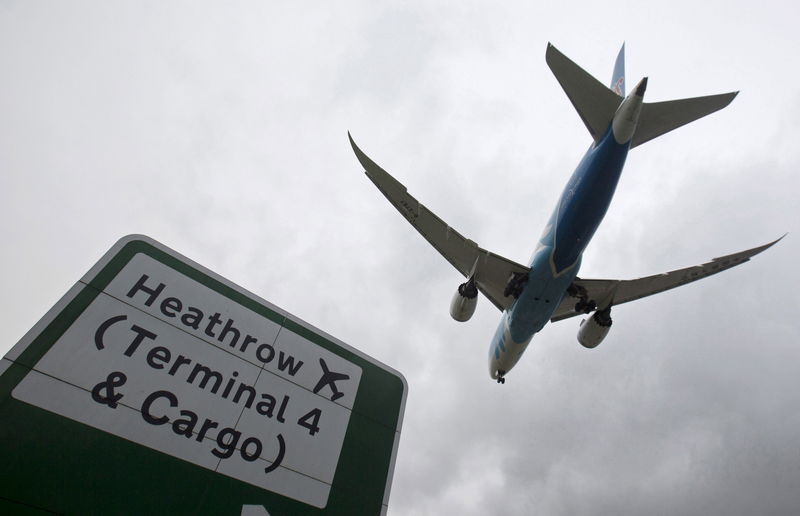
x,y
155,385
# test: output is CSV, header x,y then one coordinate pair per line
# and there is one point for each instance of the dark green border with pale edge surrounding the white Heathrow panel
x,y
54,464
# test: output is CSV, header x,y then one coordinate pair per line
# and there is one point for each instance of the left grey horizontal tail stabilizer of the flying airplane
x,y
594,102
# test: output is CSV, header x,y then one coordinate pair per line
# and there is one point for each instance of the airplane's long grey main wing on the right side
x,y
615,292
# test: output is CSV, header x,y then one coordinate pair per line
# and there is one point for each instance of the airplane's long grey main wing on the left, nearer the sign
x,y
492,272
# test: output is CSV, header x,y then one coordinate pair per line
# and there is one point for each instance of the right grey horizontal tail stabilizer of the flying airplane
x,y
661,117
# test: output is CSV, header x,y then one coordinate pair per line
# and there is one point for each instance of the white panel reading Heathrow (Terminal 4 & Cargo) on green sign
x,y
164,361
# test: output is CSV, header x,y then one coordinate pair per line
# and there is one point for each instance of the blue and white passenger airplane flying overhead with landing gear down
x,y
549,289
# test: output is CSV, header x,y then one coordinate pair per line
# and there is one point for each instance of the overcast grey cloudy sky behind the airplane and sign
x,y
220,129
